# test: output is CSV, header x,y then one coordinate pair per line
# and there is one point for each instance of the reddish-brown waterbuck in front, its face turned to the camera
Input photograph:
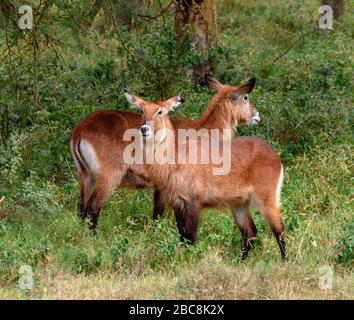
x,y
255,176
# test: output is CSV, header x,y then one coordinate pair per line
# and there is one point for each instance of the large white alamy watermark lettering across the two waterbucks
x,y
191,147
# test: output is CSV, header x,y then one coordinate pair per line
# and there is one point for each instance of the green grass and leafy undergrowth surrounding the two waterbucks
x,y
306,104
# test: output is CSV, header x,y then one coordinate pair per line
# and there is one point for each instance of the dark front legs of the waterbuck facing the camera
x,y
187,217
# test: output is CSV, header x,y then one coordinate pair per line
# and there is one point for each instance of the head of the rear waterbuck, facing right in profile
x,y
235,100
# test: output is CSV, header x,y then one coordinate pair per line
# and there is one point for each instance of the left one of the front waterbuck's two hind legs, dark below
x,y
247,227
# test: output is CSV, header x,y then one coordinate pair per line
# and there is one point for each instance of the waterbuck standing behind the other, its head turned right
x,y
97,144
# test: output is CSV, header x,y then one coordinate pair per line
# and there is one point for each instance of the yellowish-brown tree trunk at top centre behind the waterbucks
x,y
200,18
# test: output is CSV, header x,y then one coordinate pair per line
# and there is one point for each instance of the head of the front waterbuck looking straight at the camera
x,y
154,114
